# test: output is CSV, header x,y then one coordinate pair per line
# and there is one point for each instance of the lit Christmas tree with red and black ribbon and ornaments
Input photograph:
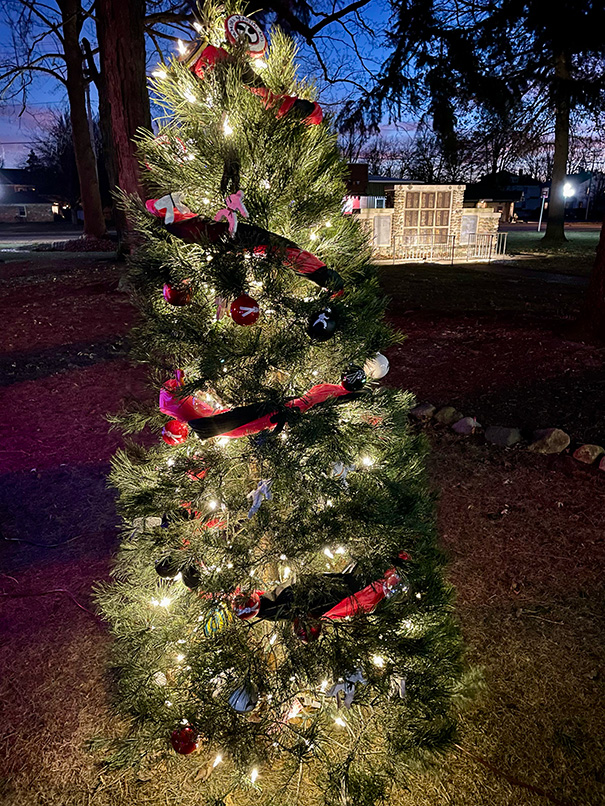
x,y
281,621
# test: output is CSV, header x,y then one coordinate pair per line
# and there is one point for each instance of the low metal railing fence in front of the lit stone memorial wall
x,y
475,247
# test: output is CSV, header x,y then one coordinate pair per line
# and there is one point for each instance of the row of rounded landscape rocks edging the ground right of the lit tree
x,y
545,440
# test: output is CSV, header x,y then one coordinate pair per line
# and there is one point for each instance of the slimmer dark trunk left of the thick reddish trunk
x,y
94,221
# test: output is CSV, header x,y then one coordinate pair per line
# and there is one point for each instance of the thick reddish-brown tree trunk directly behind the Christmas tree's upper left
x,y
121,32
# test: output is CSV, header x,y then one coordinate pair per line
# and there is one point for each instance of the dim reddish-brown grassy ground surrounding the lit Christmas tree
x,y
524,533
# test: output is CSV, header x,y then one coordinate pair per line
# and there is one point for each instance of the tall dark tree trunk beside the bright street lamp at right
x,y
555,227
